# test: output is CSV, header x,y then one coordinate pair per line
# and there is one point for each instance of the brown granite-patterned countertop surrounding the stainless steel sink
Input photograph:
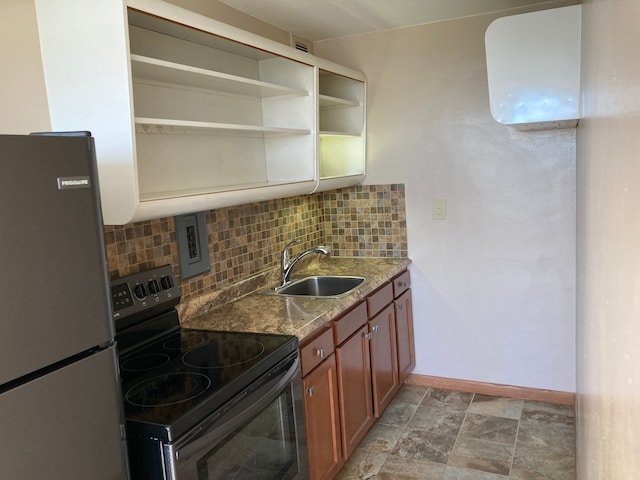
x,y
293,315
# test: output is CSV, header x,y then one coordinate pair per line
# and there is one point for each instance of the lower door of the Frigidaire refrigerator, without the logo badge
x,y
65,425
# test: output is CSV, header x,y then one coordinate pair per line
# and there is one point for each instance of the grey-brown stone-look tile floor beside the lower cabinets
x,y
434,434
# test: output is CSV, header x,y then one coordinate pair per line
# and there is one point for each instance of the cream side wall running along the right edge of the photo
x,y
608,235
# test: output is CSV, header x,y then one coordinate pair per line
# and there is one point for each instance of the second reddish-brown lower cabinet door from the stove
x,y
354,386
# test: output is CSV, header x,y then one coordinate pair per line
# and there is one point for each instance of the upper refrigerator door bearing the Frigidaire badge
x,y
54,293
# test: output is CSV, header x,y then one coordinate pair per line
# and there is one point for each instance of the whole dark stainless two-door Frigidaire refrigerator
x,y
60,402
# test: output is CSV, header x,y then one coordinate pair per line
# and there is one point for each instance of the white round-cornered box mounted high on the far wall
x,y
533,69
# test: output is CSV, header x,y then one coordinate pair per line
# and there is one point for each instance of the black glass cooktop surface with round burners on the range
x,y
174,382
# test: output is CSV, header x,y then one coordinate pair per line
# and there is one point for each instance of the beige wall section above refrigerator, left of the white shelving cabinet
x,y
23,99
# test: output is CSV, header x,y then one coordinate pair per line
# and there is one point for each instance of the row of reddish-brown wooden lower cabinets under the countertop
x,y
352,371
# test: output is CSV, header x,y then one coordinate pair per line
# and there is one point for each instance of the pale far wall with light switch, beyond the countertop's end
x,y
494,283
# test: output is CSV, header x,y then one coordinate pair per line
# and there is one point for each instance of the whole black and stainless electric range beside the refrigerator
x,y
204,404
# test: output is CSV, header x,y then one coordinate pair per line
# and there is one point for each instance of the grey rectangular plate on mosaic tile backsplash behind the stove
x,y
193,244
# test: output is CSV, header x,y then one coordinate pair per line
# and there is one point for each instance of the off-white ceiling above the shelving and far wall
x,y
322,19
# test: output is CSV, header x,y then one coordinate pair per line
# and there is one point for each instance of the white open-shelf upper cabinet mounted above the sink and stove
x,y
191,114
